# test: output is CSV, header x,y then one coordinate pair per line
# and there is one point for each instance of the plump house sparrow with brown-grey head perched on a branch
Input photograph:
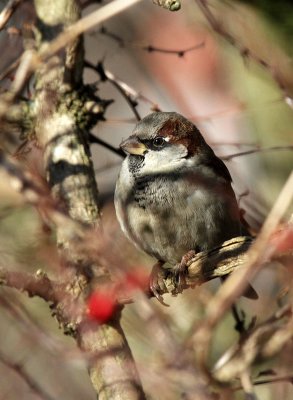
x,y
173,194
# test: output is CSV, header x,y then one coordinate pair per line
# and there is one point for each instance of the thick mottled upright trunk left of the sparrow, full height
x,y
71,176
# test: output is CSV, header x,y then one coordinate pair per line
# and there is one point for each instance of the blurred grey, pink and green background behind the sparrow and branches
x,y
238,92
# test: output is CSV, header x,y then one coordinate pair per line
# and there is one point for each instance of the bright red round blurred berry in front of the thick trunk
x,y
101,306
